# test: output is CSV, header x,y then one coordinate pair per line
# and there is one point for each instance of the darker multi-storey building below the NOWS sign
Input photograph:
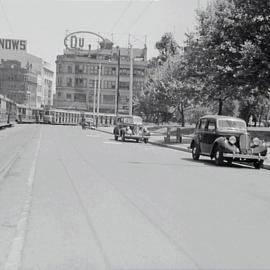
x,y
17,83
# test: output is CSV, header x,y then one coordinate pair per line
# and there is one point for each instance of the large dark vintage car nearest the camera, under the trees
x,y
226,138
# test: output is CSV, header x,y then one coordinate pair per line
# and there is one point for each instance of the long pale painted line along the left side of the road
x,y
15,253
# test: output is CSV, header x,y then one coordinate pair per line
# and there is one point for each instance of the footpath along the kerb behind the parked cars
x,y
158,140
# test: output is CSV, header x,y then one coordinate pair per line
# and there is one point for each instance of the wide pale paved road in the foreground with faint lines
x,y
76,199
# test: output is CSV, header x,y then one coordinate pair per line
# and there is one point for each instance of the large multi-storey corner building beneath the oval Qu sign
x,y
83,73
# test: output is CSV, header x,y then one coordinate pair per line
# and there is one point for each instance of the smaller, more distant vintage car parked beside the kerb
x,y
130,127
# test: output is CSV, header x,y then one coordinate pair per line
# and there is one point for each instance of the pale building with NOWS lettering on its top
x,y
11,49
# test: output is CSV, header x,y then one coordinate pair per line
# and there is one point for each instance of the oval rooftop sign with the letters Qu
x,y
82,40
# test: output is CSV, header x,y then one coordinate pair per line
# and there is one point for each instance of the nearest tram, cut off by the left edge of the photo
x,y
8,110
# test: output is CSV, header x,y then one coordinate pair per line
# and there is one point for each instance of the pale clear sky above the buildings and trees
x,y
45,23
